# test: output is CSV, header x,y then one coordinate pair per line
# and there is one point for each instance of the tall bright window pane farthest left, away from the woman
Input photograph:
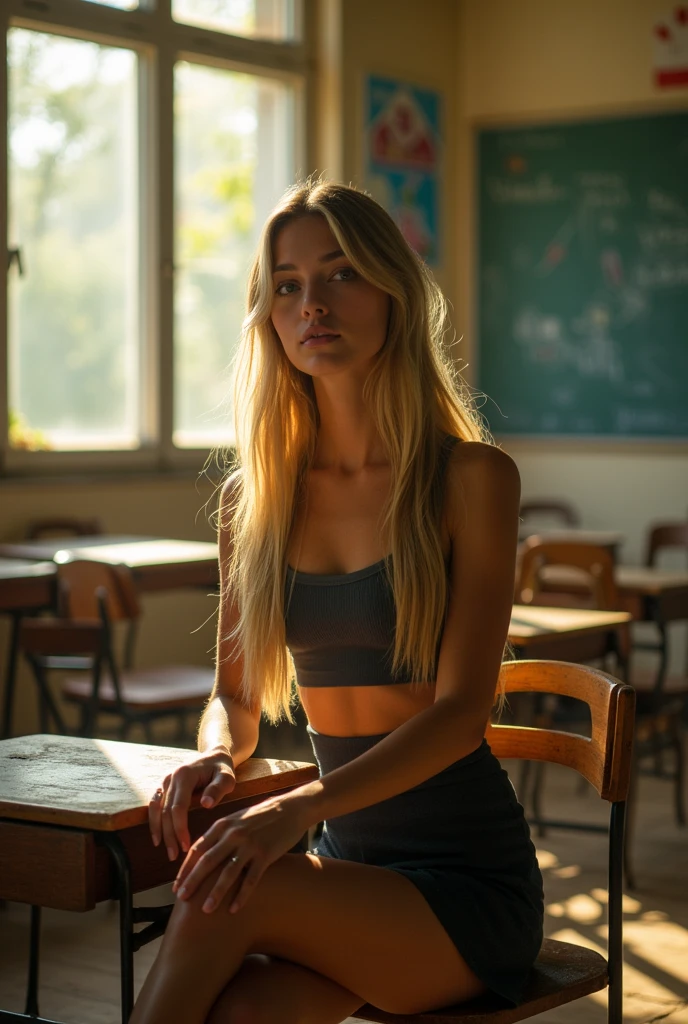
x,y
74,314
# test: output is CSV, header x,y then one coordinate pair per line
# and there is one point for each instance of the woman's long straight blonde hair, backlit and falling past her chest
x,y
416,397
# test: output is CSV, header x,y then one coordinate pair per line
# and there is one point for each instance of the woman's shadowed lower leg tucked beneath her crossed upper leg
x,y
267,991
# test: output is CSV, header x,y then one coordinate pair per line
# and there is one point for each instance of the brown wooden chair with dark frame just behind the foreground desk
x,y
94,598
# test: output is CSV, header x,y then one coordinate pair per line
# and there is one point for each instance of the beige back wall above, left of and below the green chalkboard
x,y
543,60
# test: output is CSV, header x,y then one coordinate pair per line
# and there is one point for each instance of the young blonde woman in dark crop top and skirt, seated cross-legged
x,y
370,536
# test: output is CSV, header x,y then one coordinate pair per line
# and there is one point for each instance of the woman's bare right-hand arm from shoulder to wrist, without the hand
x,y
483,502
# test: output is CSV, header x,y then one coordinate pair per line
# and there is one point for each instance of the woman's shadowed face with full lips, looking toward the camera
x,y
328,318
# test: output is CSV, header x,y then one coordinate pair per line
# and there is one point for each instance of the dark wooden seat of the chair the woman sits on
x,y
563,972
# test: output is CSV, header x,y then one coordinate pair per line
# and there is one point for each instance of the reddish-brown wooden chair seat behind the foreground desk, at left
x,y
175,687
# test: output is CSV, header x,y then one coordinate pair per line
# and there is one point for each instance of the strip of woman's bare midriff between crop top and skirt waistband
x,y
364,711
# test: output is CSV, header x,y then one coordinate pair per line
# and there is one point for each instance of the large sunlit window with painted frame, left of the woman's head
x,y
145,151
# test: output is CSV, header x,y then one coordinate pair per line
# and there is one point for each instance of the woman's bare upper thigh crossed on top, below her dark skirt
x,y
368,929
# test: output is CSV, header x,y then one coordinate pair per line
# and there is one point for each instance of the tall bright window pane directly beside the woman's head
x,y
234,160
